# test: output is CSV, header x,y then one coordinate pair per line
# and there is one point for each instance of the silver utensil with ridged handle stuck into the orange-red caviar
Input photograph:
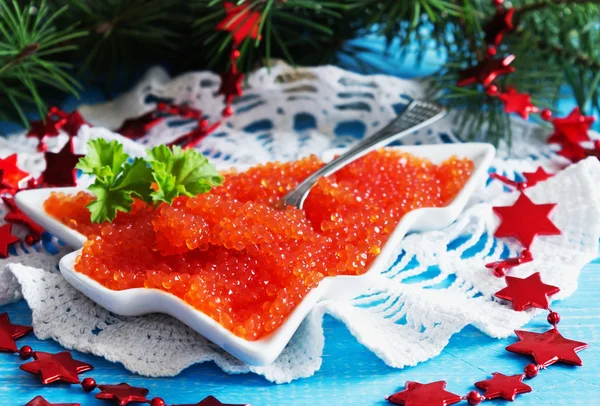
x,y
417,114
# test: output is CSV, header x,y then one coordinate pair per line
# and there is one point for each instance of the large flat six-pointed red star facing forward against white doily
x,y
524,220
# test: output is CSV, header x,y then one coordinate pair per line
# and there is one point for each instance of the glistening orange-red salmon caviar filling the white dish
x,y
234,256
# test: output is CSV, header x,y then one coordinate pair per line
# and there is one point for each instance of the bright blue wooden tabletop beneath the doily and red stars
x,y
350,374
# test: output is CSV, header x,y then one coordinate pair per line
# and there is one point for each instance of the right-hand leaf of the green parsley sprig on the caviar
x,y
178,172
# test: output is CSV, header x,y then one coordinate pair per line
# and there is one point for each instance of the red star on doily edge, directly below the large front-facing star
x,y
527,292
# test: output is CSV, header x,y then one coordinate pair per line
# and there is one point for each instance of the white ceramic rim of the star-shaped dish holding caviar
x,y
134,302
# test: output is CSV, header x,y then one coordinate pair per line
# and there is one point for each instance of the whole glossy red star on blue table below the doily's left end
x,y
56,367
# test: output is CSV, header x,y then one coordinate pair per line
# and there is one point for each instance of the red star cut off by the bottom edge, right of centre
x,y
430,394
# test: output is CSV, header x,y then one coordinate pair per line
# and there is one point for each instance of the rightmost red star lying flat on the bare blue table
x,y
547,348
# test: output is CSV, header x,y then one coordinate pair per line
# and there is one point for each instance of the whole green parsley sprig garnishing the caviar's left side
x,y
120,179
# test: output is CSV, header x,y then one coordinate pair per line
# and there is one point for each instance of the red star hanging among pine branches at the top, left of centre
x,y
240,21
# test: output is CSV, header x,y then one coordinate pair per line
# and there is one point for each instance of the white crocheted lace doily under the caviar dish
x,y
438,285
